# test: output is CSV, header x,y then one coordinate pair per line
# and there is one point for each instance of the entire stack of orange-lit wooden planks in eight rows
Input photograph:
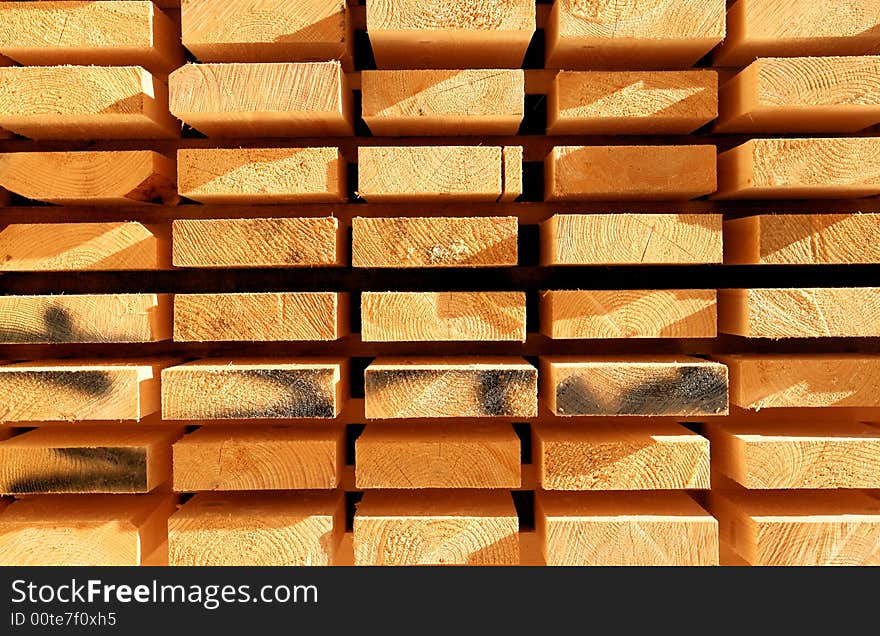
x,y
409,282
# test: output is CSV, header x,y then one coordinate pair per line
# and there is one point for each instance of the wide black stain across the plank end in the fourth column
x,y
683,390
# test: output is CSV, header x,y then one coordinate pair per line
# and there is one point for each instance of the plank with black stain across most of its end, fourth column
x,y
657,385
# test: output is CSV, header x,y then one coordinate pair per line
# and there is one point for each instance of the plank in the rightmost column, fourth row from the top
x,y
801,239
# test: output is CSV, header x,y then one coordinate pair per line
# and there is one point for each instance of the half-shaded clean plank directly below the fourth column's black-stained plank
x,y
613,456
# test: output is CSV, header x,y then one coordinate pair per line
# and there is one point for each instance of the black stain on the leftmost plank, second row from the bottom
x,y
107,469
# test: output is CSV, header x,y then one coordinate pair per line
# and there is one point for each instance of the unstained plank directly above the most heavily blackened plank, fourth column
x,y
650,313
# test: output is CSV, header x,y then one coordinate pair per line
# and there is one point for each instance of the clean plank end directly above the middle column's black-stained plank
x,y
433,316
